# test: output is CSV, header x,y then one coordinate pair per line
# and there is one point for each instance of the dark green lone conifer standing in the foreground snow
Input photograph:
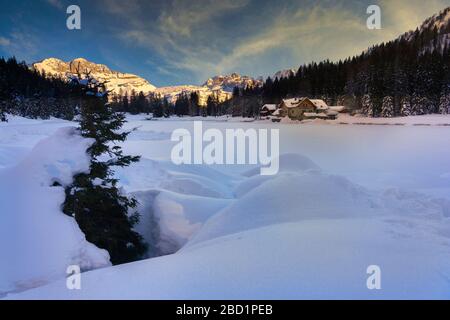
x,y
104,214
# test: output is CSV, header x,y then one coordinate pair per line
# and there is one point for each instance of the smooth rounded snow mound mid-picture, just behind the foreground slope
x,y
290,197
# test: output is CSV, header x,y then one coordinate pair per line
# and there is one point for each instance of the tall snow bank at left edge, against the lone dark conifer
x,y
38,242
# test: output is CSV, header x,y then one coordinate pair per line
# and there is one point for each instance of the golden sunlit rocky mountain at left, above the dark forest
x,y
117,82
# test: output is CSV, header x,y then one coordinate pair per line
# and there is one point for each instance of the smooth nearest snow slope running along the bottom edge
x,y
313,259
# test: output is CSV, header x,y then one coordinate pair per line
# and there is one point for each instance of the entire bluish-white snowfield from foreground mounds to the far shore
x,y
346,197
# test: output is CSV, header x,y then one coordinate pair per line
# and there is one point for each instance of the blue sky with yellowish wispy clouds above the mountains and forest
x,y
174,42
